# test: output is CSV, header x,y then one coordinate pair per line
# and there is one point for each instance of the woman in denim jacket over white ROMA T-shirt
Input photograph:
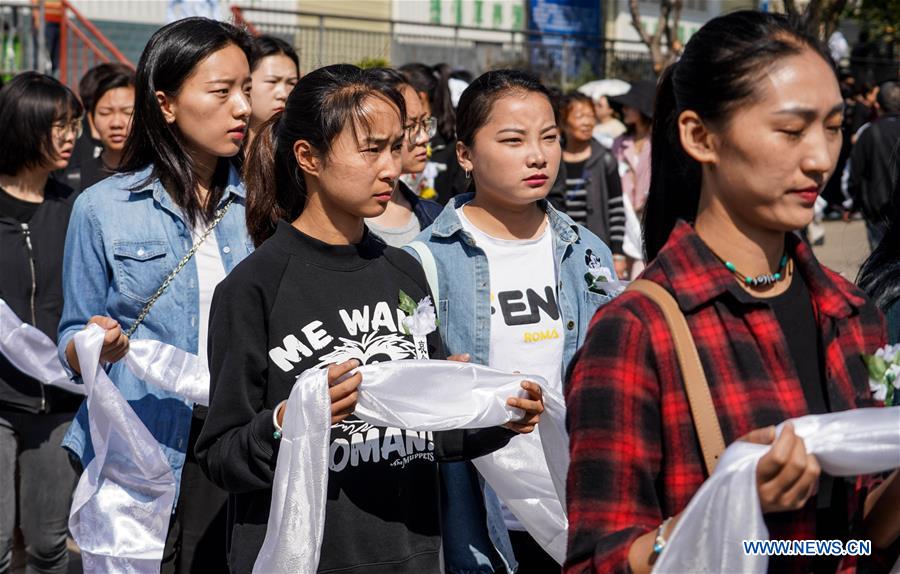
x,y
518,283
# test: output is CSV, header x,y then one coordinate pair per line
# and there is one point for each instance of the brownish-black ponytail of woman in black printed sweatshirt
x,y
263,170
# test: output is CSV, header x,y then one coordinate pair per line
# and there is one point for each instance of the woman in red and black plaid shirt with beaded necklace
x,y
747,132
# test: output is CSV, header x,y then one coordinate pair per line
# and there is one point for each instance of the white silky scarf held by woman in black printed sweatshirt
x,y
419,396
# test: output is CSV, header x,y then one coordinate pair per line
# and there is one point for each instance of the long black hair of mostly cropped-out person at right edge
x,y
880,274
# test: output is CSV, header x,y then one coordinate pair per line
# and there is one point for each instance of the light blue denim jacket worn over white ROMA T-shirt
x,y
465,326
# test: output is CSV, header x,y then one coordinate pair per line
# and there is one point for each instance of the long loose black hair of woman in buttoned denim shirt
x,y
168,60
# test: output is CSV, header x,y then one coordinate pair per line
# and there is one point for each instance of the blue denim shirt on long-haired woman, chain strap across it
x,y
121,245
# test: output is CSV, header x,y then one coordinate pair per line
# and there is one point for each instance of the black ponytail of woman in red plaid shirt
x,y
674,176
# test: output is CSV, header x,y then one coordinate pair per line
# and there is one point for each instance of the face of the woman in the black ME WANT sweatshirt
x,y
358,175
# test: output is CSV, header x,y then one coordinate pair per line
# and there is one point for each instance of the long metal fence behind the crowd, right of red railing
x,y
560,59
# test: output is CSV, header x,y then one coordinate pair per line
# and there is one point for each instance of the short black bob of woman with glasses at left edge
x,y
29,106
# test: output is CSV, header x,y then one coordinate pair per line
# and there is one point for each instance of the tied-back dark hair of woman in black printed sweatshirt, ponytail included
x,y
323,103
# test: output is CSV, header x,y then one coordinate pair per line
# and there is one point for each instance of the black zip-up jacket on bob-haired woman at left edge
x,y
31,256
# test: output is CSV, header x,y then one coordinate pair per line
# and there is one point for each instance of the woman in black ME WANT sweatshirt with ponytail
x,y
320,291
